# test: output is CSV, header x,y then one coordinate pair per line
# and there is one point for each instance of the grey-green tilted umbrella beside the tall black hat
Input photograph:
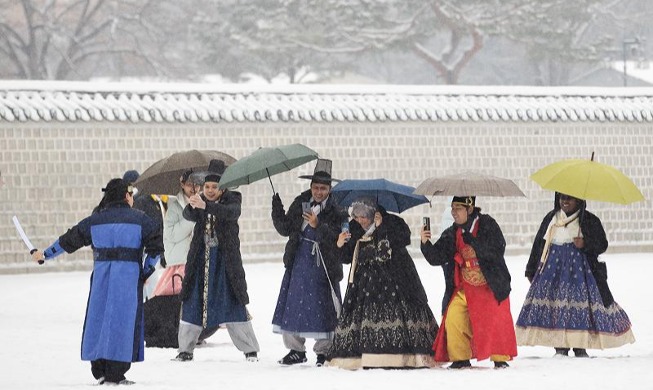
x,y
266,162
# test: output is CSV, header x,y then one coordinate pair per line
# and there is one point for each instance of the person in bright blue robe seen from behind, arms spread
x,y
118,234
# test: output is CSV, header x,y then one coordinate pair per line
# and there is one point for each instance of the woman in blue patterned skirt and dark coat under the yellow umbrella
x,y
569,304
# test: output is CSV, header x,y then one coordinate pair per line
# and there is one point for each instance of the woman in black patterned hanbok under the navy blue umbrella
x,y
386,321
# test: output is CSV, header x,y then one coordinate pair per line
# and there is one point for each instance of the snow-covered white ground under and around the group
x,y
41,317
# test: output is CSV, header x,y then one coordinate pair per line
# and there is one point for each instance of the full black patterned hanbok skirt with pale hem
x,y
380,327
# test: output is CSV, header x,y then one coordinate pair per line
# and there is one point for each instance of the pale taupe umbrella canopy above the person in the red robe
x,y
468,184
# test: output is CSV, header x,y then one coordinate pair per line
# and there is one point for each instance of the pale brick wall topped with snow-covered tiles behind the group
x,y
60,143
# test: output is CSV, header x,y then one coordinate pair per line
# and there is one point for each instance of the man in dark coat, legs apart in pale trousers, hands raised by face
x,y
214,290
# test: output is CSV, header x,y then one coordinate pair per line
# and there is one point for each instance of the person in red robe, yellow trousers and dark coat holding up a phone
x,y
477,322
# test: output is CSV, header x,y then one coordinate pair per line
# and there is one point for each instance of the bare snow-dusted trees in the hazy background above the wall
x,y
539,42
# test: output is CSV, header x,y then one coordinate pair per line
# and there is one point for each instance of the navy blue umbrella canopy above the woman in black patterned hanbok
x,y
391,196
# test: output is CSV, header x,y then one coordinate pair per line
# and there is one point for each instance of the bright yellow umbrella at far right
x,y
588,179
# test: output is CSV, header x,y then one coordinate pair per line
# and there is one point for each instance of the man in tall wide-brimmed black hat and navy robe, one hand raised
x,y
309,298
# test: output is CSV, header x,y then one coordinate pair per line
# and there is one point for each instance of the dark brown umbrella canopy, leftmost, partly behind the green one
x,y
162,177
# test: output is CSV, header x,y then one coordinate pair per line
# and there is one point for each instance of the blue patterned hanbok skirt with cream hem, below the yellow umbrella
x,y
563,307
